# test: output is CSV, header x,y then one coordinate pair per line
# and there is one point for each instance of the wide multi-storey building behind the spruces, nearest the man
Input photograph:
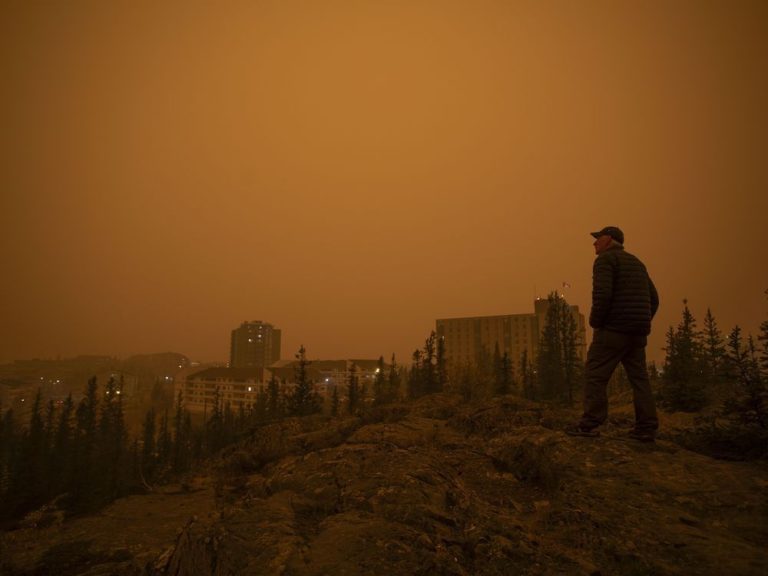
x,y
468,339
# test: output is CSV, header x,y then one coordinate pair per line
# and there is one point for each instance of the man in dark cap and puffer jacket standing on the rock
x,y
624,301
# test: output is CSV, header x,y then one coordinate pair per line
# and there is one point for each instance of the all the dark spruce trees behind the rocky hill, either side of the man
x,y
83,455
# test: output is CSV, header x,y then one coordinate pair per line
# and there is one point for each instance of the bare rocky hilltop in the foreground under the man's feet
x,y
436,487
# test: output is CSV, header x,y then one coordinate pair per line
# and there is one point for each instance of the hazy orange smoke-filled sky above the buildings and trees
x,y
350,171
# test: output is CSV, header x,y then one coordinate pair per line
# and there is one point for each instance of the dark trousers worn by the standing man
x,y
608,348
